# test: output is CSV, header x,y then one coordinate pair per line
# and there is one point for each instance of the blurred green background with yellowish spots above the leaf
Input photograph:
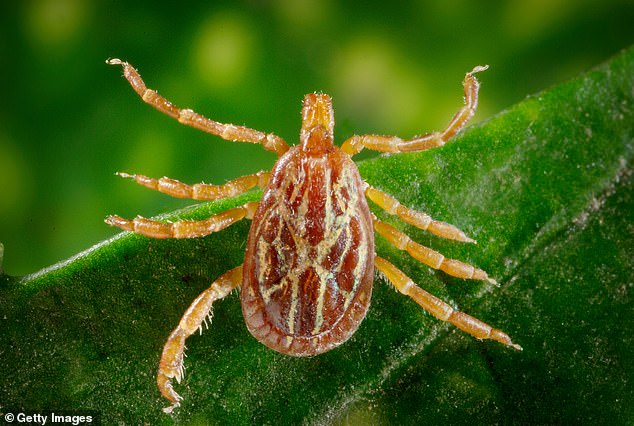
x,y
68,121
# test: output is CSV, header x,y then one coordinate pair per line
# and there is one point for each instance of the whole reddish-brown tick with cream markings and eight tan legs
x,y
306,281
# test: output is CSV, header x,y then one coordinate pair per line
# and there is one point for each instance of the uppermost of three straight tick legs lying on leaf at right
x,y
418,219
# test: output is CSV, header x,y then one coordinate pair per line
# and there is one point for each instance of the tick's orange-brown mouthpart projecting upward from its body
x,y
318,123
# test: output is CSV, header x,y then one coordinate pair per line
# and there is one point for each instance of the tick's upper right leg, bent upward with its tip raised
x,y
395,144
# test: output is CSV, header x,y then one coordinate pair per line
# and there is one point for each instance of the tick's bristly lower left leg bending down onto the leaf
x,y
171,365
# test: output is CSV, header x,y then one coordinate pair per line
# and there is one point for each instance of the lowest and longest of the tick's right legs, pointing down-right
x,y
440,309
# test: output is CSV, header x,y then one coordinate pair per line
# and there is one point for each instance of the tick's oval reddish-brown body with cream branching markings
x,y
308,266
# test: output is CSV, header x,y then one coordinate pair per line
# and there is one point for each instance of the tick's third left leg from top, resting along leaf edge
x,y
184,228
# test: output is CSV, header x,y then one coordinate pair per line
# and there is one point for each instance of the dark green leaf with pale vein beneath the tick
x,y
545,187
